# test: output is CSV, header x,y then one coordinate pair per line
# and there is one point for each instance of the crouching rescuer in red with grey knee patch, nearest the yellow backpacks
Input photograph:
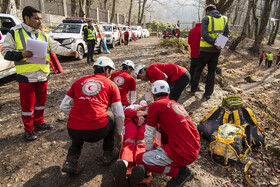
x,y
183,144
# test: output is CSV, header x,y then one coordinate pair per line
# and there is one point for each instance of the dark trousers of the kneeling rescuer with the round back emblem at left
x,y
78,138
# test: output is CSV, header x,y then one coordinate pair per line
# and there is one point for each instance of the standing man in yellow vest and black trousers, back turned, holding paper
x,y
213,25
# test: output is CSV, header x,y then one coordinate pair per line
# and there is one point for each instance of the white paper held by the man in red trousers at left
x,y
39,50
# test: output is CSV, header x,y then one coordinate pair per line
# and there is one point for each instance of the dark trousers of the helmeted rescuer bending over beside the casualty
x,y
177,86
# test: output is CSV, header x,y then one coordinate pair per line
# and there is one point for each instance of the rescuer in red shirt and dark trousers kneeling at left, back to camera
x,y
89,120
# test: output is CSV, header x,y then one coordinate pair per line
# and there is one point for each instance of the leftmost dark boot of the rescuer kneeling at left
x,y
71,165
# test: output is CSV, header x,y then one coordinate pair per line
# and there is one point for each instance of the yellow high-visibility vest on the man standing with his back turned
x,y
216,26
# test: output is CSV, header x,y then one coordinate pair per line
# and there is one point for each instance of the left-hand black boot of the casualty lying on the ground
x,y
119,174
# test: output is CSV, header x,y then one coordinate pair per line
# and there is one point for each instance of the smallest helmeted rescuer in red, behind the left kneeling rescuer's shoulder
x,y
125,82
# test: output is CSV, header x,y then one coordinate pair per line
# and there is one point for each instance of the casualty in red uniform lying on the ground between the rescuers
x,y
135,121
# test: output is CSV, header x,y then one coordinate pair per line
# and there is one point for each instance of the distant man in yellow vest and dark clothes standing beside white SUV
x,y
90,37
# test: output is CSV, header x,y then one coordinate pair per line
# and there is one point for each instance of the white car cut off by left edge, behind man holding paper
x,y
7,21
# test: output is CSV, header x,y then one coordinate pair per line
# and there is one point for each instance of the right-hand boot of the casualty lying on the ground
x,y
137,175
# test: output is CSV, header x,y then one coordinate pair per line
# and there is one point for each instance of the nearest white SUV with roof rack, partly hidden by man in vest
x,y
71,35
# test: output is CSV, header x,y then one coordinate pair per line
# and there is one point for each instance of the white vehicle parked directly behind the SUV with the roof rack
x,y
112,33
